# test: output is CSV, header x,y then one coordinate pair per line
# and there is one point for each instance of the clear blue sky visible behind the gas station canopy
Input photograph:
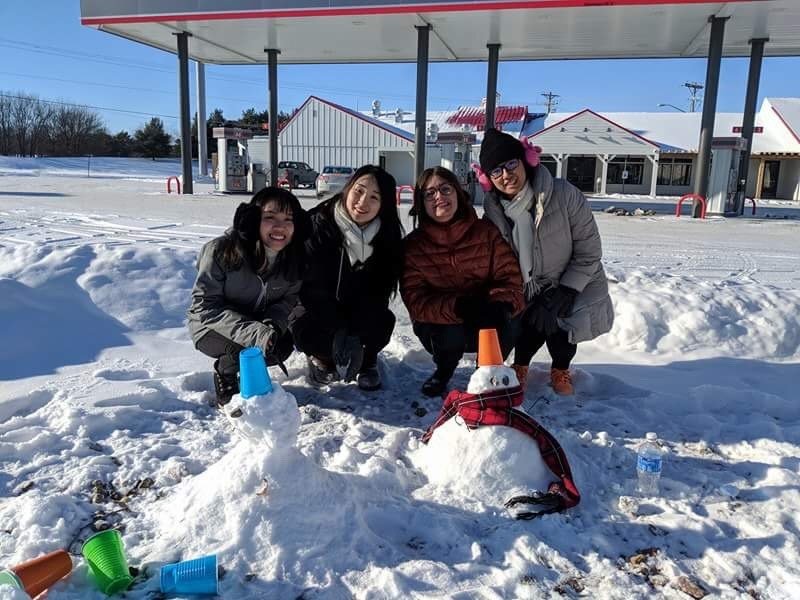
x,y
48,53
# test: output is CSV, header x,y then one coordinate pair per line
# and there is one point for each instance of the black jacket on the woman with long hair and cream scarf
x,y
333,290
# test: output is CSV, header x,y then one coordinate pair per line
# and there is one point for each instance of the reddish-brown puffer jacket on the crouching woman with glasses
x,y
443,262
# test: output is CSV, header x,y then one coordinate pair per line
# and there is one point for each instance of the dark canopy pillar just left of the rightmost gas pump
x,y
709,110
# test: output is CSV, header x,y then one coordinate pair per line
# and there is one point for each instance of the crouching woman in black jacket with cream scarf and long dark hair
x,y
354,262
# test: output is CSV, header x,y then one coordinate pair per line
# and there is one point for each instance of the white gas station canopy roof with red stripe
x,y
341,31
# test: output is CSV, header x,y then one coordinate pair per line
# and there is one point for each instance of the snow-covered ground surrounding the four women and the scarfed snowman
x,y
104,418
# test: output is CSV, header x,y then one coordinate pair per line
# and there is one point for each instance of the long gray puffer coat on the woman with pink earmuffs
x,y
567,251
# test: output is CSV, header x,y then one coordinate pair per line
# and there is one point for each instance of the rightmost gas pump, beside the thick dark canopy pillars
x,y
725,195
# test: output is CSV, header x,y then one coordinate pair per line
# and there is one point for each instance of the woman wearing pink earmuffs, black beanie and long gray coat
x,y
550,226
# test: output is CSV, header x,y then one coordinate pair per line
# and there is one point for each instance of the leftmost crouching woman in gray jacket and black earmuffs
x,y
248,285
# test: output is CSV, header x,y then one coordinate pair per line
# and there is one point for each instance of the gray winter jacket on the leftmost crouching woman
x,y
237,304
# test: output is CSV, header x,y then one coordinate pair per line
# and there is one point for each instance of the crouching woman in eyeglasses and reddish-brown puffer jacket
x,y
459,276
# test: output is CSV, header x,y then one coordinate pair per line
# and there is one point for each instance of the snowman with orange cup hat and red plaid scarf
x,y
484,447
